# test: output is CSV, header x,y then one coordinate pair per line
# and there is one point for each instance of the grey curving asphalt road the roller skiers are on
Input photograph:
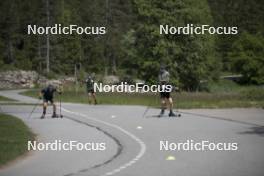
x,y
133,141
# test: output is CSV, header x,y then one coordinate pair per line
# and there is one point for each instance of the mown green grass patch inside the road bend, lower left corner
x,y
14,135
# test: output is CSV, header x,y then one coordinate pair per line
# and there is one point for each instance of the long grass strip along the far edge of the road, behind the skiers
x,y
227,95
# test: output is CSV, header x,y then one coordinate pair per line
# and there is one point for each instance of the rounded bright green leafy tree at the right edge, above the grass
x,y
247,57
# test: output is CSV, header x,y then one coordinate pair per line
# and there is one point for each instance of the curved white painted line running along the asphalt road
x,y
139,141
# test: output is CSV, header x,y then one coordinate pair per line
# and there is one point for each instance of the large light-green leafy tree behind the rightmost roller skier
x,y
190,58
